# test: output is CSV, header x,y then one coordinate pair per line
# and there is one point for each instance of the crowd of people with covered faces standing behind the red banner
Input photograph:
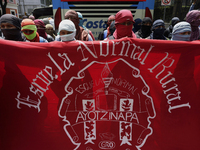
x,y
119,26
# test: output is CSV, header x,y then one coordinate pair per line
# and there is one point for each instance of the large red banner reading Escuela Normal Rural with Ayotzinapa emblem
x,y
116,95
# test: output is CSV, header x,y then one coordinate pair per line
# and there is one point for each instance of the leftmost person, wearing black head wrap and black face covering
x,y
11,28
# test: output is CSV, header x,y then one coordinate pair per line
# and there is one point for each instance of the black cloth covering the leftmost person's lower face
x,y
12,34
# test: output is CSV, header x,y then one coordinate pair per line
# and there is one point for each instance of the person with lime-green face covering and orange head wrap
x,y
29,30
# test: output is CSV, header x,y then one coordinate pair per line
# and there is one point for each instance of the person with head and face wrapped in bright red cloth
x,y
123,24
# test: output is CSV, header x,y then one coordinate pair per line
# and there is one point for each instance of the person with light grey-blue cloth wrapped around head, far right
x,y
181,31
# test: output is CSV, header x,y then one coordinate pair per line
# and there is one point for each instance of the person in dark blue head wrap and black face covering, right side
x,y
158,29
